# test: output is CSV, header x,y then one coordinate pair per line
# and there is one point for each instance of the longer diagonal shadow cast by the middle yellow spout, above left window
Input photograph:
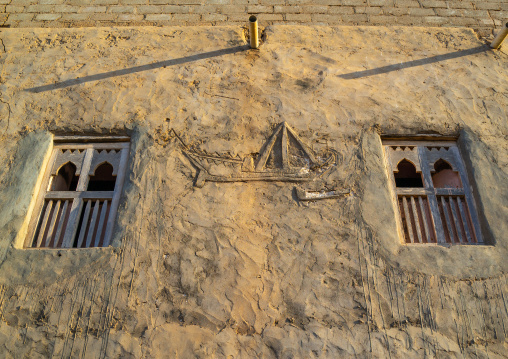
x,y
131,70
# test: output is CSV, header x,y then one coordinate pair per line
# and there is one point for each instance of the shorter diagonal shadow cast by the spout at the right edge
x,y
414,63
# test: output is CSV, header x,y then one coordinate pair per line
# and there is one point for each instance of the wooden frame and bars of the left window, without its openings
x,y
77,198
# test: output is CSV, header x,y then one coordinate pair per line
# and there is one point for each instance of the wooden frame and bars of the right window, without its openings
x,y
423,166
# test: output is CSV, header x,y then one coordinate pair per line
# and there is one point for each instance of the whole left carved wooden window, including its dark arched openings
x,y
80,194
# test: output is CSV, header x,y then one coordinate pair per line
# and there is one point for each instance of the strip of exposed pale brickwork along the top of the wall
x,y
480,15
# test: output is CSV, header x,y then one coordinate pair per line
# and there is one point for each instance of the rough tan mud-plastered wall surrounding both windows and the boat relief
x,y
245,269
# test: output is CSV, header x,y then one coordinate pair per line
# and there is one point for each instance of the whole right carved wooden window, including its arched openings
x,y
433,196
